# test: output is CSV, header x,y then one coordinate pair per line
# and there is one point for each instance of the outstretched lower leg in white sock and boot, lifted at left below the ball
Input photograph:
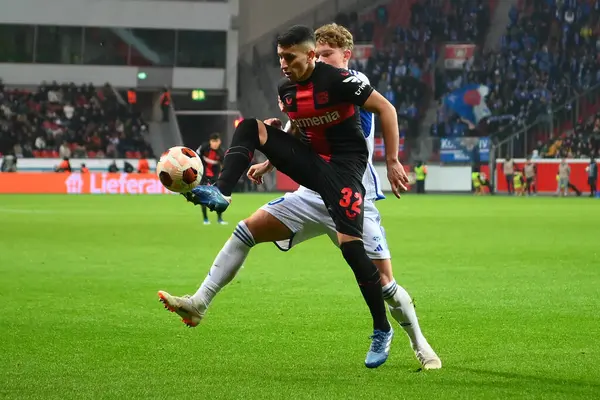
x,y
228,262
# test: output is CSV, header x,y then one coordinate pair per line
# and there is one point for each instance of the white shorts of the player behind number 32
x,y
305,214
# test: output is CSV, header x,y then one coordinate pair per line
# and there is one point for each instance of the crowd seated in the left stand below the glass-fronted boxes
x,y
65,120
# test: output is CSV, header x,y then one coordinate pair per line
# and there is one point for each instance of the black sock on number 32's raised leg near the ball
x,y
238,156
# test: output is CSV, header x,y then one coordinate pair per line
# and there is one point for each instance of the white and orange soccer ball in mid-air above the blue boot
x,y
180,169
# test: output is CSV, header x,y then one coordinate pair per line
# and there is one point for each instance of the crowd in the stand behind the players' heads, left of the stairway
x,y
407,35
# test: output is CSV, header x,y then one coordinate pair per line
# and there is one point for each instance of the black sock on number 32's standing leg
x,y
368,279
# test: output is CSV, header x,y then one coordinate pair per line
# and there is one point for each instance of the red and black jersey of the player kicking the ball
x,y
325,108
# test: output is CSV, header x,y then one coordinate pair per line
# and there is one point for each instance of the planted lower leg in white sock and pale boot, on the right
x,y
402,309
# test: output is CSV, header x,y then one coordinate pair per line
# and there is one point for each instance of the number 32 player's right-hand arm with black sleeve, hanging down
x,y
353,90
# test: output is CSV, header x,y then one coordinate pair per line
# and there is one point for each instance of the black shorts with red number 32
x,y
339,182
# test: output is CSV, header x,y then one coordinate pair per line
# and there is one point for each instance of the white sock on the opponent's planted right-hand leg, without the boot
x,y
403,311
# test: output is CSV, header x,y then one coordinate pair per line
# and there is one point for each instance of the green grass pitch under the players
x,y
507,291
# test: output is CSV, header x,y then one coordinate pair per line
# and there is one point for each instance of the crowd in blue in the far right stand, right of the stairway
x,y
547,56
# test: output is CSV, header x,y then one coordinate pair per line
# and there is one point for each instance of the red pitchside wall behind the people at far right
x,y
547,169
